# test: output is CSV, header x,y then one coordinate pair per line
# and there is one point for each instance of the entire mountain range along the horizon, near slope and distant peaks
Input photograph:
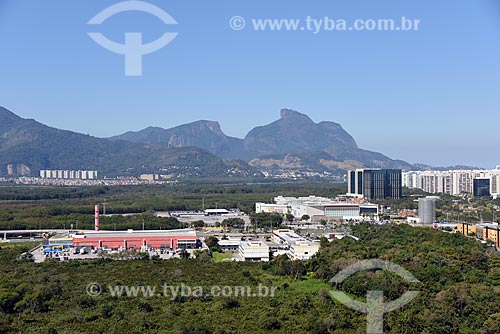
x,y
292,144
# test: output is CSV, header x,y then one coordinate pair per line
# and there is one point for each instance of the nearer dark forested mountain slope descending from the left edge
x,y
27,146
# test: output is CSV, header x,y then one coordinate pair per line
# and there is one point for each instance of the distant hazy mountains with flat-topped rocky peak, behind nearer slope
x,y
292,142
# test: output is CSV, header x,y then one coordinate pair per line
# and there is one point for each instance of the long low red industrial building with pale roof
x,y
163,239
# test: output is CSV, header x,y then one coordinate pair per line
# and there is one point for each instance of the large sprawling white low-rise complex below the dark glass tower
x,y
320,208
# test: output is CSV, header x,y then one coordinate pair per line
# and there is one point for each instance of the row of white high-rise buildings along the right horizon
x,y
454,182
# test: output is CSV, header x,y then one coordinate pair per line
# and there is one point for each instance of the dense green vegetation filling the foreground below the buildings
x,y
459,290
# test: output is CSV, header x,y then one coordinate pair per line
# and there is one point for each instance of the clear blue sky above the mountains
x,y
430,96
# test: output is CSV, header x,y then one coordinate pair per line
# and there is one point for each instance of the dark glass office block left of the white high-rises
x,y
374,184
